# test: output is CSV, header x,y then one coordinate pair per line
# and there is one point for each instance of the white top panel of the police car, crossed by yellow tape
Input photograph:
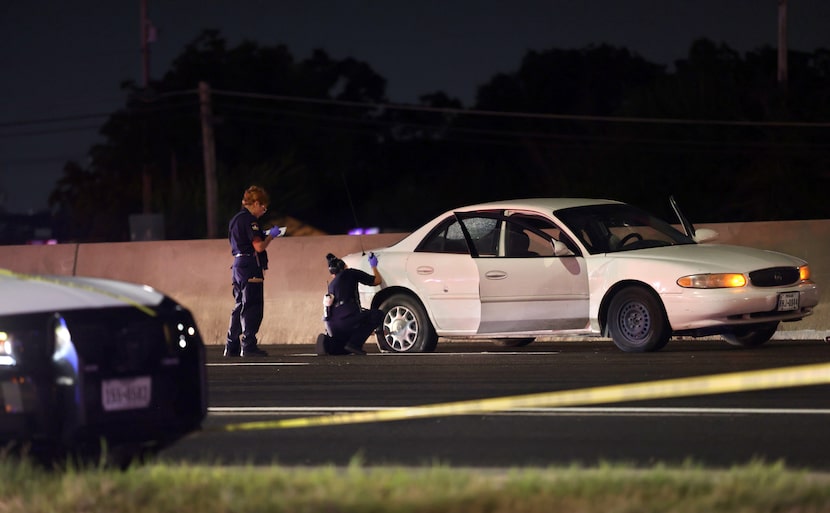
x,y
27,293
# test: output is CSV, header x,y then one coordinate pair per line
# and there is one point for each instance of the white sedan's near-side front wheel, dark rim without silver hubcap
x,y
636,321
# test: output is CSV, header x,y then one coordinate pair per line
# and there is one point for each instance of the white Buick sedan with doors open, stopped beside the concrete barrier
x,y
516,270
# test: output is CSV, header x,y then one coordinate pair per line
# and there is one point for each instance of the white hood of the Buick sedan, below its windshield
x,y
718,256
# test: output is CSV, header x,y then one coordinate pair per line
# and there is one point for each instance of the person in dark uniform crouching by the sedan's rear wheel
x,y
348,324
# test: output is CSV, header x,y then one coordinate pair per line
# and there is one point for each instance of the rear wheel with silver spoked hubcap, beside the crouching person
x,y
406,327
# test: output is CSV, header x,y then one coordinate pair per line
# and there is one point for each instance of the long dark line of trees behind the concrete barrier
x,y
716,130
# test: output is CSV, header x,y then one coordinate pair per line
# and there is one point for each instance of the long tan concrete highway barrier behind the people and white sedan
x,y
197,272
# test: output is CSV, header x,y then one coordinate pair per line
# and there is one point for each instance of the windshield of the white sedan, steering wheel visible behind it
x,y
615,227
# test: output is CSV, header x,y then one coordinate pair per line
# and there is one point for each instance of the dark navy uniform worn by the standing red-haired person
x,y
248,285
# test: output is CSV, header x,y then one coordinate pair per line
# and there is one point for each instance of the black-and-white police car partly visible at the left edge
x,y
96,368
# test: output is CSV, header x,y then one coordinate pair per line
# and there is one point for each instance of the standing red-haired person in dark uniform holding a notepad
x,y
248,245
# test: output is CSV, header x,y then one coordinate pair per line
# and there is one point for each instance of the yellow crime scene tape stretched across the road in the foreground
x,y
814,374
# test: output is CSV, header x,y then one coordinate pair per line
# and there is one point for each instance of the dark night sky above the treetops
x,y
67,58
